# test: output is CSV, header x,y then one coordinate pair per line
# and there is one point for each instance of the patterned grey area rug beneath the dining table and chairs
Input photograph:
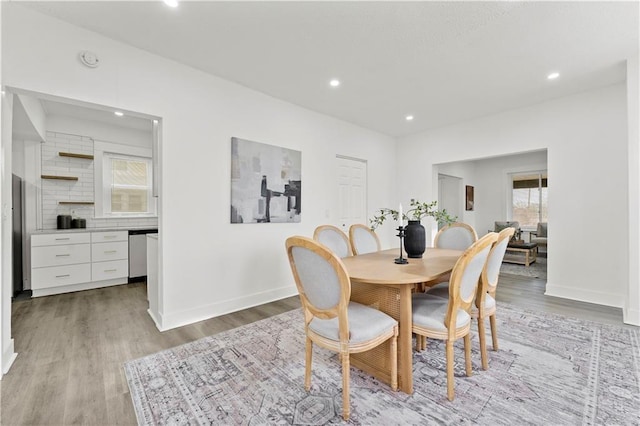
x,y
549,370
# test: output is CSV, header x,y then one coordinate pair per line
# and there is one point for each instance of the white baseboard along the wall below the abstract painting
x,y
178,319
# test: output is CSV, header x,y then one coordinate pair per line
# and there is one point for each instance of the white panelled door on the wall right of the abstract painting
x,y
352,192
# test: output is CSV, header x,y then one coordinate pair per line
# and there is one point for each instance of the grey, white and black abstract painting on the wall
x,y
265,183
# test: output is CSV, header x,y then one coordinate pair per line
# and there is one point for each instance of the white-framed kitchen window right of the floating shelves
x,y
127,185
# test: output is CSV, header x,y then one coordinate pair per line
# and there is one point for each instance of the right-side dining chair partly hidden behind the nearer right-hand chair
x,y
485,301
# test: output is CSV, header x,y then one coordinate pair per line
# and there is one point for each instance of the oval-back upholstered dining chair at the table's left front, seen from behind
x,y
331,320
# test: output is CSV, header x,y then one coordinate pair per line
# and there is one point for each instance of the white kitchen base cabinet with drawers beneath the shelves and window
x,y
65,262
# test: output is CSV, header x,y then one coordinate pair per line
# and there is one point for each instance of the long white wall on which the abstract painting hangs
x,y
209,266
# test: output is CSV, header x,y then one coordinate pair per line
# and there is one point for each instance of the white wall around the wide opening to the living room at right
x,y
586,139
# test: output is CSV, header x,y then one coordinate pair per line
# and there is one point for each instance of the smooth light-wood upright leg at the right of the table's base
x,y
405,356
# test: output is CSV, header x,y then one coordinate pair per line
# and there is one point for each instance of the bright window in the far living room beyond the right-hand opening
x,y
529,198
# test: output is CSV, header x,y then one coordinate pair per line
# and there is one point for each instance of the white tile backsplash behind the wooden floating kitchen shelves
x,y
81,190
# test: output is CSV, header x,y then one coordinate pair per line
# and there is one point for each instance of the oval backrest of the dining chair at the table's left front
x,y
322,281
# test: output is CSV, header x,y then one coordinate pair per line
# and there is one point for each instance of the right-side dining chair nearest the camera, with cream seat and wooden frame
x,y
449,318
